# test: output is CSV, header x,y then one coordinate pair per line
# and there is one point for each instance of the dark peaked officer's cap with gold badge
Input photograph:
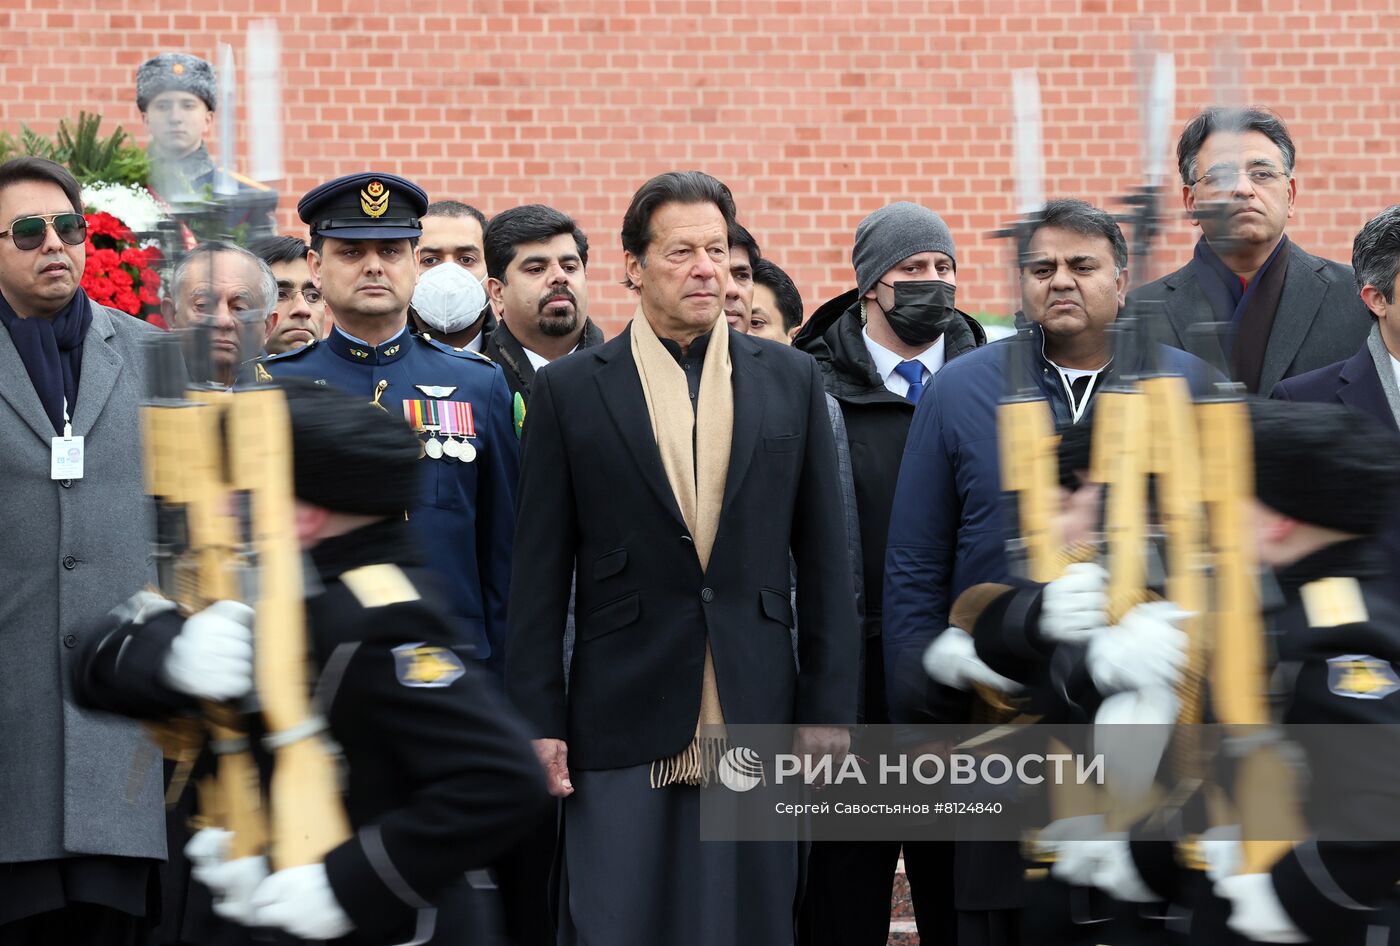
x,y
365,206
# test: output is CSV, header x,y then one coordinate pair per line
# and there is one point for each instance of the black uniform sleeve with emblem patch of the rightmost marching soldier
x,y
1331,885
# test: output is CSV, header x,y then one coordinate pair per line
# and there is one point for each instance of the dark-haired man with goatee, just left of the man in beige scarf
x,y
538,264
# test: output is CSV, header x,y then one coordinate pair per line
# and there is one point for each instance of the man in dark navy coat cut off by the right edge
x,y
1370,380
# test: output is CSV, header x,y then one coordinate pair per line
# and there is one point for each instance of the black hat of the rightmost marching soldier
x,y
1325,465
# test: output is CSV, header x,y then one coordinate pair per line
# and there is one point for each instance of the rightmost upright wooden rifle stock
x,y
1265,789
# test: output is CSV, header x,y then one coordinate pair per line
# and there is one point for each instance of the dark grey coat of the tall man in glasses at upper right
x,y
1321,317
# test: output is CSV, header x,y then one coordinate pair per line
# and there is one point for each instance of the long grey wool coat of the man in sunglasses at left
x,y
73,782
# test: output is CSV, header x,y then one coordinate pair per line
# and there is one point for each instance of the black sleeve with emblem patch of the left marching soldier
x,y
437,745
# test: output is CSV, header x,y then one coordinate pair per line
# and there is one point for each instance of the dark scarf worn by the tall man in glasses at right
x,y
1248,310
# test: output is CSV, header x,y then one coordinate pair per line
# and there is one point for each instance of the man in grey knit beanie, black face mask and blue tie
x,y
877,346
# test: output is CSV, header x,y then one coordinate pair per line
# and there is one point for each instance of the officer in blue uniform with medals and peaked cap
x,y
363,232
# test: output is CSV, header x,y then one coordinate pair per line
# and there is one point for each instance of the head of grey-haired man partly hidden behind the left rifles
x,y
227,292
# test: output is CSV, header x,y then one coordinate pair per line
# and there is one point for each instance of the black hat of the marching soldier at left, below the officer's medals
x,y
349,456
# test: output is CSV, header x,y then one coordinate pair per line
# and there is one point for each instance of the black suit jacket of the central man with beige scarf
x,y
594,492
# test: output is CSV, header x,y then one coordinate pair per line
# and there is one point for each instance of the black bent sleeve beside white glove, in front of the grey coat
x,y
121,665
